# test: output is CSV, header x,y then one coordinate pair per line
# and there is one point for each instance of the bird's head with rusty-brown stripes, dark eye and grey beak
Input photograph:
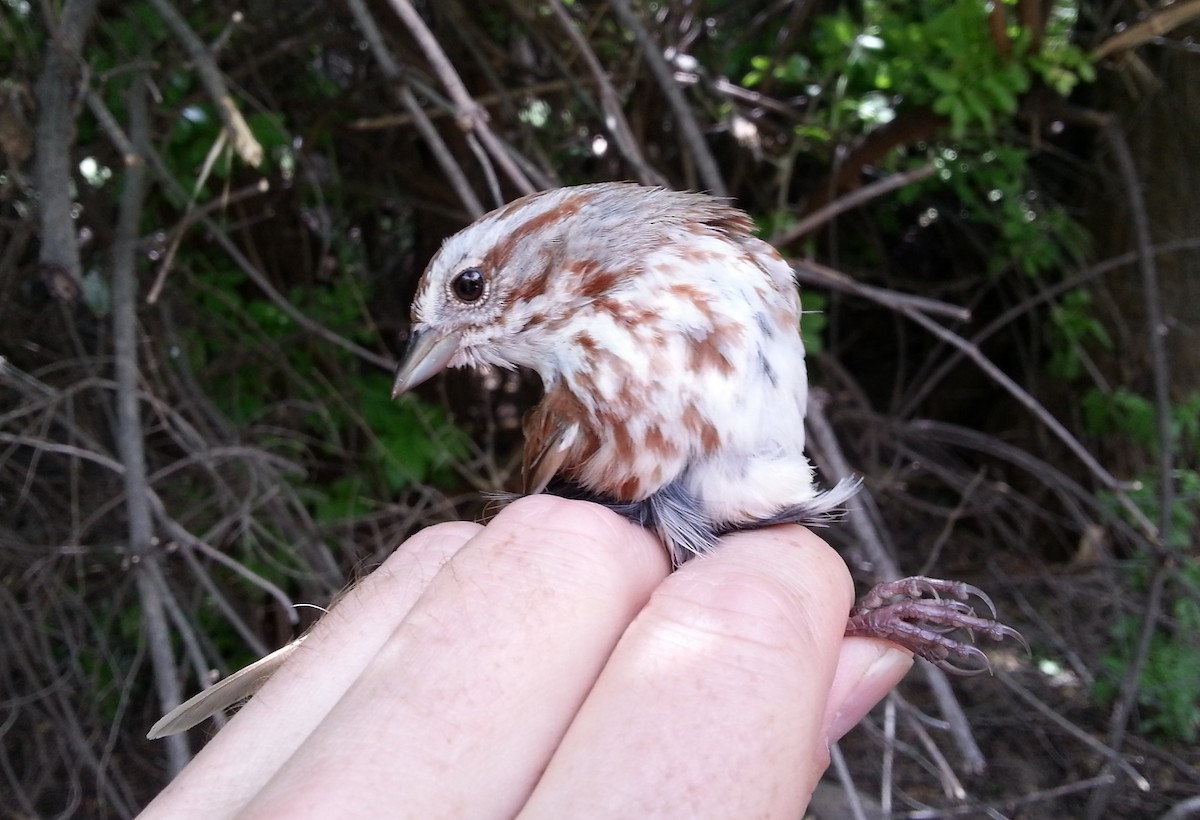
x,y
505,290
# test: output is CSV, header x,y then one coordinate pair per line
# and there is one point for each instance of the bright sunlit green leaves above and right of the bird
x,y
869,64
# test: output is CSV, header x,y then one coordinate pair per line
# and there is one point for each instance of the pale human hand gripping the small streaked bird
x,y
550,666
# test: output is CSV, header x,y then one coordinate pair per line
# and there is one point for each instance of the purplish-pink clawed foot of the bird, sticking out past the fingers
x,y
921,617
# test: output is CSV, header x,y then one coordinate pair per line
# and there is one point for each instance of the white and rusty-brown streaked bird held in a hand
x,y
668,340
